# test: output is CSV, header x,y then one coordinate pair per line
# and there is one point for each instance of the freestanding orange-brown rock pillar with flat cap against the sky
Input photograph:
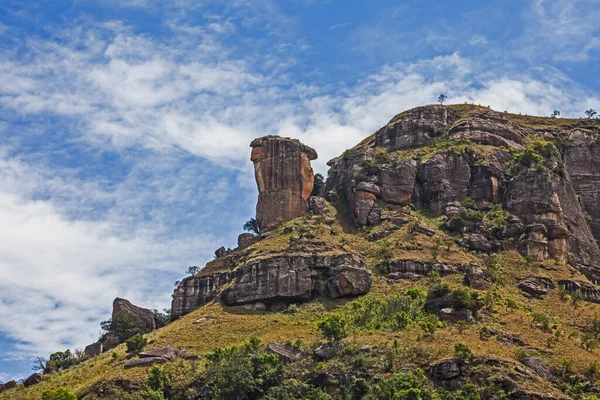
x,y
284,177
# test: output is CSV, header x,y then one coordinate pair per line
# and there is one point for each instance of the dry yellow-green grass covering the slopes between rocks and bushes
x,y
231,326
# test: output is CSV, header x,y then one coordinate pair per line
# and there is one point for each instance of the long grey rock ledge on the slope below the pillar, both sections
x,y
276,281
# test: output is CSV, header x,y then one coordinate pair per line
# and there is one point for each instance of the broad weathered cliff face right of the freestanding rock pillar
x,y
546,182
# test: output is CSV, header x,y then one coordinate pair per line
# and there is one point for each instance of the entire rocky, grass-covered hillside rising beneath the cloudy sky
x,y
449,225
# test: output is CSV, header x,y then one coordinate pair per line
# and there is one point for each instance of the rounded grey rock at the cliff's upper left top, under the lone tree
x,y
415,127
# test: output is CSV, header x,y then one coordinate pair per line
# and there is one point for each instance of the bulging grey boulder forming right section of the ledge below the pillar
x,y
298,278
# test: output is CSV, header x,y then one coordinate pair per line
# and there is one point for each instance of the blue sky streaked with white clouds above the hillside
x,y
125,125
